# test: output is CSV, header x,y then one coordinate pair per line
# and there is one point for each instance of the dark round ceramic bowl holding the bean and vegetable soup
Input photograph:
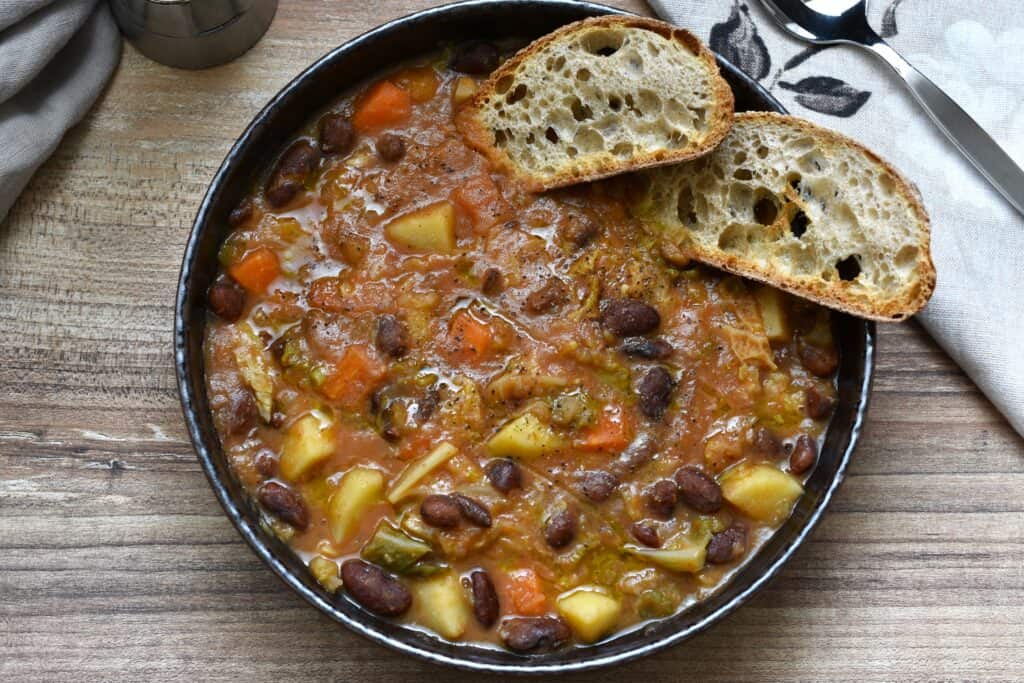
x,y
314,90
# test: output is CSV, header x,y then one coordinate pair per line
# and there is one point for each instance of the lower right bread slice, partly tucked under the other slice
x,y
804,209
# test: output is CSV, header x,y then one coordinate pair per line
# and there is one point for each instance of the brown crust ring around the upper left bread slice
x,y
480,138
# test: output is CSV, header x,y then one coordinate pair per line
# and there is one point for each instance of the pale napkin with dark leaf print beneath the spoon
x,y
975,52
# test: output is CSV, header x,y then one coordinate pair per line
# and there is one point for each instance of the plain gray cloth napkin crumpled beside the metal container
x,y
56,57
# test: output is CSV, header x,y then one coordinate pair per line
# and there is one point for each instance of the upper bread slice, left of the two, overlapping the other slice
x,y
599,98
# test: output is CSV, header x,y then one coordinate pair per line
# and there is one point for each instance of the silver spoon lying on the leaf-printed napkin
x,y
826,22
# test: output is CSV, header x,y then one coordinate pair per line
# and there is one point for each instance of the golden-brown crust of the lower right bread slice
x,y
895,310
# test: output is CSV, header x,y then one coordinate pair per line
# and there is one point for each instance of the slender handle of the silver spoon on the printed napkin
x,y
964,132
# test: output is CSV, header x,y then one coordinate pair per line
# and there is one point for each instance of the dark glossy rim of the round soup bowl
x,y
251,533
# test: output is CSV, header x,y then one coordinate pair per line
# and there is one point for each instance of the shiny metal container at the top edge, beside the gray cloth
x,y
194,34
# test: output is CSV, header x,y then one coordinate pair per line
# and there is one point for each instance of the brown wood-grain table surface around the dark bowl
x,y
116,563
